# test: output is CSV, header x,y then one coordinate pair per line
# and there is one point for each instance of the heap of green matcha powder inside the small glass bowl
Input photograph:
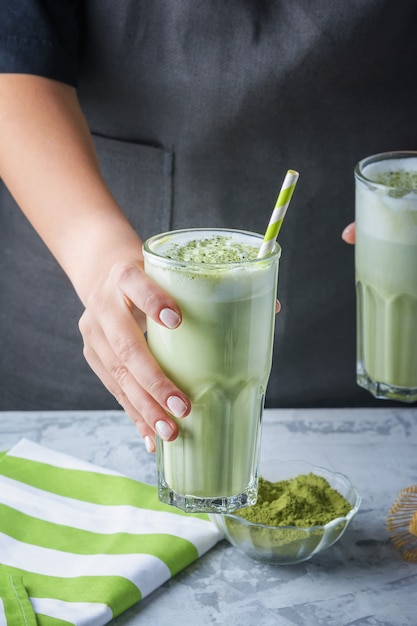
x,y
304,501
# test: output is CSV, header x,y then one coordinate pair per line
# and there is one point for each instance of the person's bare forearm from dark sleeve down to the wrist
x,y
48,162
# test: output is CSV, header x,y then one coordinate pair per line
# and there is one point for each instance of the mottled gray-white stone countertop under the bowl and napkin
x,y
360,581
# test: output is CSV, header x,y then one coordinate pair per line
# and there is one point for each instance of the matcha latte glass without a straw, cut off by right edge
x,y
386,275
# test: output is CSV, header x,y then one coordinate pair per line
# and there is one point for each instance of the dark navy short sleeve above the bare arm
x,y
40,37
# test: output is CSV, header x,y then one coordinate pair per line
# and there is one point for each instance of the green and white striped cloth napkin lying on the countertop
x,y
79,544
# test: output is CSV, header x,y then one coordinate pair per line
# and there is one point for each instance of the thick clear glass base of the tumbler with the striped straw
x,y
194,504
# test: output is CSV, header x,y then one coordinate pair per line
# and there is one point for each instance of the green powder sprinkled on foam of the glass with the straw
x,y
218,249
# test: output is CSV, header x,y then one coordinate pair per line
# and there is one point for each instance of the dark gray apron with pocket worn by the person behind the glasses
x,y
197,109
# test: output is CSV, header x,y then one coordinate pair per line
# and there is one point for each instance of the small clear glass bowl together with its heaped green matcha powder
x,y
301,510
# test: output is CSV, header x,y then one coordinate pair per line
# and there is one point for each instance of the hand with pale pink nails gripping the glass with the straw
x,y
112,327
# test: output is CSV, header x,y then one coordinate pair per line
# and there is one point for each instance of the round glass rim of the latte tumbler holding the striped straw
x,y
275,253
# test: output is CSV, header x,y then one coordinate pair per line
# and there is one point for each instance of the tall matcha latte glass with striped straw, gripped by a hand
x,y
220,356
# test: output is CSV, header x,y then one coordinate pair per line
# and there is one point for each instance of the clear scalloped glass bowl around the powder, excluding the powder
x,y
287,545
